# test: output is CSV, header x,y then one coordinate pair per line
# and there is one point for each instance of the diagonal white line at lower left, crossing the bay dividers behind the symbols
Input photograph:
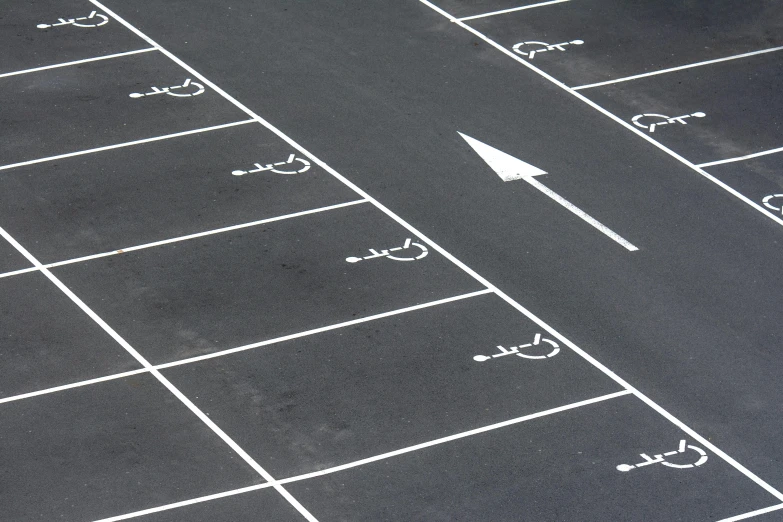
x,y
173,389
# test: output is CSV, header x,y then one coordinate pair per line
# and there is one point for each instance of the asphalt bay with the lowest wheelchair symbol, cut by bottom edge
x,y
559,467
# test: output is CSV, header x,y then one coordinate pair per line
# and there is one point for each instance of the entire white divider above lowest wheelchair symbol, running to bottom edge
x,y
368,460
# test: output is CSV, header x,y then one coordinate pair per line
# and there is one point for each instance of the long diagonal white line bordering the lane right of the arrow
x,y
606,113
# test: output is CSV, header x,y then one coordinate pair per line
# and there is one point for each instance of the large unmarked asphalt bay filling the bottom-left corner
x,y
92,452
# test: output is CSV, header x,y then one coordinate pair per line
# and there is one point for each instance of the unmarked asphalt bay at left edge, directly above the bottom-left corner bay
x,y
48,342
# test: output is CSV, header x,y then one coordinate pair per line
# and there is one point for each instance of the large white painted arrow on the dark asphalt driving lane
x,y
510,168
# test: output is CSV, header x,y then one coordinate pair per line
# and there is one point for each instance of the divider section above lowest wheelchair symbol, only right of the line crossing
x,y
450,438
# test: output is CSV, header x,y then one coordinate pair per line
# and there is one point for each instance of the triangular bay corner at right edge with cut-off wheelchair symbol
x,y
760,179
